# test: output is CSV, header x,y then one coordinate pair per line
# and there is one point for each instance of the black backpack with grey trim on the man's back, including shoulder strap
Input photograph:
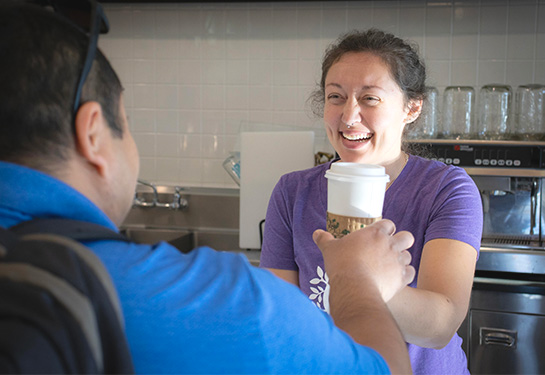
x,y
37,272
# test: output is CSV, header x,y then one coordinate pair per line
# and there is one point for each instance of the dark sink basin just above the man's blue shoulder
x,y
183,240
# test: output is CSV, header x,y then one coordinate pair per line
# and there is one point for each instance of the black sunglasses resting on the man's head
x,y
88,16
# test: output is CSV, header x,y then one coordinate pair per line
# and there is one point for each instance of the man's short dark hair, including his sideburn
x,y
42,57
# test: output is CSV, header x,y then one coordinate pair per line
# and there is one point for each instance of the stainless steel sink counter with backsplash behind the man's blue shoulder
x,y
210,218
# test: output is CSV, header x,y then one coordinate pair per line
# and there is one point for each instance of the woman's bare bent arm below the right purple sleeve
x,y
431,313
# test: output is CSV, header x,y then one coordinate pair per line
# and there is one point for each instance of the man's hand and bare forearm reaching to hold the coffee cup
x,y
366,268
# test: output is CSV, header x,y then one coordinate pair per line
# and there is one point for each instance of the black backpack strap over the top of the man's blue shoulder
x,y
75,229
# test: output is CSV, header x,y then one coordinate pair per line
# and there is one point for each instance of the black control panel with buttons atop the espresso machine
x,y
489,154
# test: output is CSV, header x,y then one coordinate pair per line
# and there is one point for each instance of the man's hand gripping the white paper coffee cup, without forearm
x,y
372,255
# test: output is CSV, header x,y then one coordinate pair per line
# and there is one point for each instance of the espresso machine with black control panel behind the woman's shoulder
x,y
510,176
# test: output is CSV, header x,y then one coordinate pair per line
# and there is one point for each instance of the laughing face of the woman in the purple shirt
x,y
360,92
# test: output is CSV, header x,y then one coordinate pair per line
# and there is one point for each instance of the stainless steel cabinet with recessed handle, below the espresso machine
x,y
504,332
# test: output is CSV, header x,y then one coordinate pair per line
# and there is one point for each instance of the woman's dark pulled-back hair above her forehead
x,y
404,63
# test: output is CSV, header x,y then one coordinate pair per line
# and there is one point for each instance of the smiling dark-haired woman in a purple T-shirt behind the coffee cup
x,y
372,86
